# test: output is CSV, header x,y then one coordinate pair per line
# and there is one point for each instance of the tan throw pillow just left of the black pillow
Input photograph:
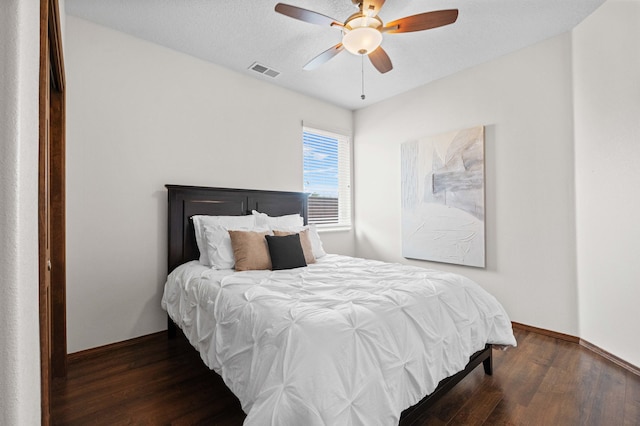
x,y
250,250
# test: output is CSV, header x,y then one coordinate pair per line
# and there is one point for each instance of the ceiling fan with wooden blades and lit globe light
x,y
362,31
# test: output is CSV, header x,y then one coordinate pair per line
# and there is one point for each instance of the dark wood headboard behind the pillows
x,y
186,201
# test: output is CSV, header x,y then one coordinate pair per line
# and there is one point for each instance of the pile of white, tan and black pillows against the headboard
x,y
256,242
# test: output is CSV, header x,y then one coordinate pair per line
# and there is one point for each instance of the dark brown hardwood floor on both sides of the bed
x,y
155,381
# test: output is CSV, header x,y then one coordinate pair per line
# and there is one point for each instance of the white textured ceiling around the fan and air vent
x,y
237,33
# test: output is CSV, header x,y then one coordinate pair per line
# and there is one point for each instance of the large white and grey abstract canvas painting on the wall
x,y
443,198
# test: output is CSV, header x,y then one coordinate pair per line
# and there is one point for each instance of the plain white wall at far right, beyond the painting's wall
x,y
606,48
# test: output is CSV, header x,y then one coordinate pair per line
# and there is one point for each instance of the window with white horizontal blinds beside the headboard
x,y
327,177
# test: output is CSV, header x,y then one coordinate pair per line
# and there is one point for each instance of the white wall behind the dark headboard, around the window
x,y
141,116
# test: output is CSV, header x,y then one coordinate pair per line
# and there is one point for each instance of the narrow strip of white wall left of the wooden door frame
x,y
19,335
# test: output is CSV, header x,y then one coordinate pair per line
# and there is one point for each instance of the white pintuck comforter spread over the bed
x,y
345,341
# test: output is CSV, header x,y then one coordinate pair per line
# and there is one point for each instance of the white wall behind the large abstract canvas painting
x,y
524,101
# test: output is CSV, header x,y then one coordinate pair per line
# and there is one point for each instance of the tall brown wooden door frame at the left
x,y
51,202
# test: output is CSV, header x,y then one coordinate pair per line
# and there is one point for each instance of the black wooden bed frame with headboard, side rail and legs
x,y
186,201
